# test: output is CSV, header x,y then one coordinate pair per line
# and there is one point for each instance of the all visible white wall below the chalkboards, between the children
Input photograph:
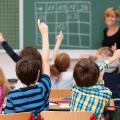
x,y
8,65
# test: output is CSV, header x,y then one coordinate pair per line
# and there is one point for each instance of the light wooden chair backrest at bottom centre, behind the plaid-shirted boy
x,y
64,115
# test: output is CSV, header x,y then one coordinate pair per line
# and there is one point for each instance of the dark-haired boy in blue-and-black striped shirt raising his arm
x,y
34,97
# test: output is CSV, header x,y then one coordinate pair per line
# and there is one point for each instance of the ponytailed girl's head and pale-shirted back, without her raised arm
x,y
61,77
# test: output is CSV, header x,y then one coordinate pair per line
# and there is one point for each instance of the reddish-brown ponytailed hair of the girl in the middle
x,y
61,64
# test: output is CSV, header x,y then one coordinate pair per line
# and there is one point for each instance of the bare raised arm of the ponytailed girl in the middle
x,y
59,39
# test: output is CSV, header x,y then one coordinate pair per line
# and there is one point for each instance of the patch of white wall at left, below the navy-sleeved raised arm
x,y
7,65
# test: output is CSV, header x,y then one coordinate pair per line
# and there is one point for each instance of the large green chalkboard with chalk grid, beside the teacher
x,y
80,20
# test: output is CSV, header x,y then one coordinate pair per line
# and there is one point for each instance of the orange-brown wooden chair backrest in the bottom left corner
x,y
16,116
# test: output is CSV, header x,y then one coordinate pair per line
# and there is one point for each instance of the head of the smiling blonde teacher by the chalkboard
x,y
111,16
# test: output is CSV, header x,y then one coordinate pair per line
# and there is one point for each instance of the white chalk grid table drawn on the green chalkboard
x,y
73,18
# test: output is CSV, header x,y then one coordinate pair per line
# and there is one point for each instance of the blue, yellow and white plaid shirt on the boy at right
x,y
92,99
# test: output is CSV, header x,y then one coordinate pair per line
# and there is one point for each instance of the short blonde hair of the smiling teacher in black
x,y
110,11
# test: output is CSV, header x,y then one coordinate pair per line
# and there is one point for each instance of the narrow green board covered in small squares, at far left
x,y
9,21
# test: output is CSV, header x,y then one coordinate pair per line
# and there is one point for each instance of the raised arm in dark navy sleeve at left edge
x,y
14,56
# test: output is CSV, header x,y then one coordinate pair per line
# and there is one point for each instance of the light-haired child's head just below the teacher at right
x,y
103,53
